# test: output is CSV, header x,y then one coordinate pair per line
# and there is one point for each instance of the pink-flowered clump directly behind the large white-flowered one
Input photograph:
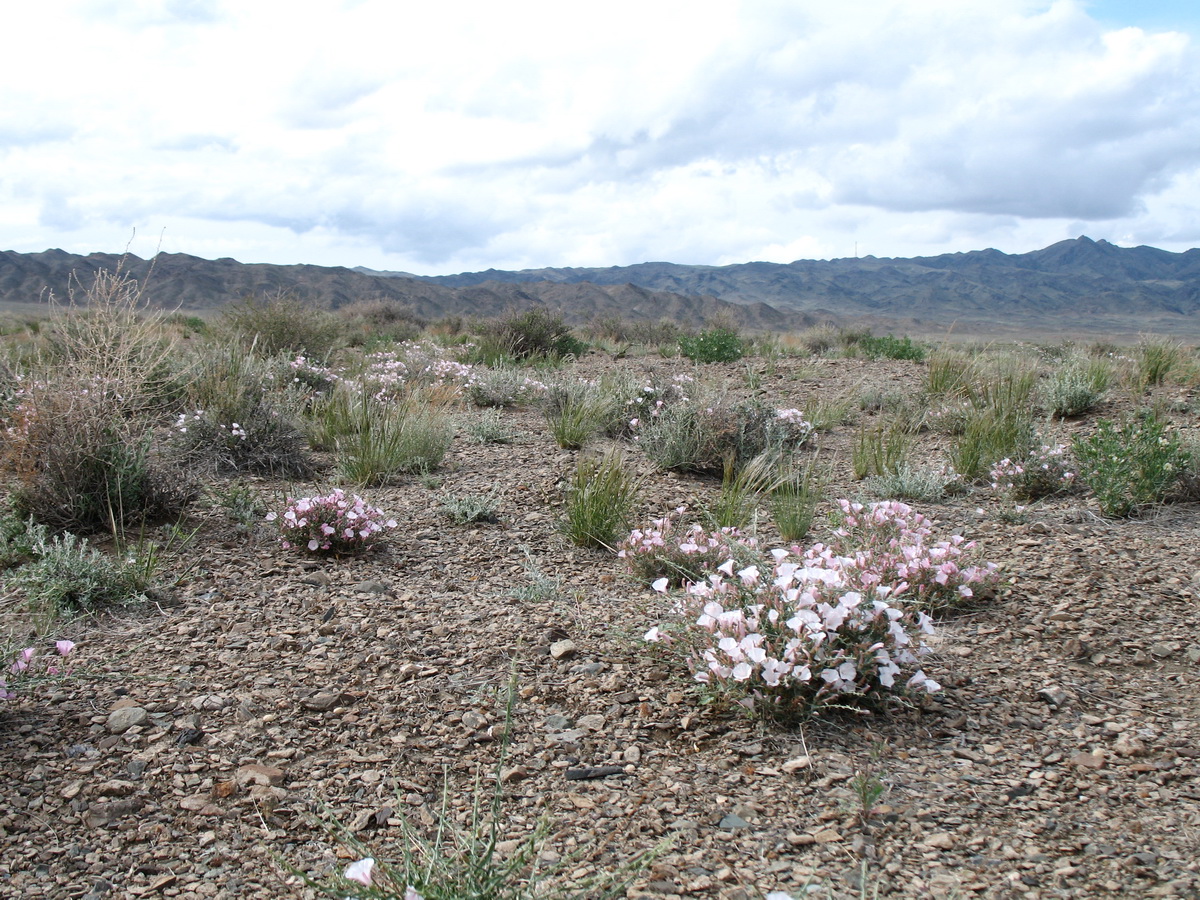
x,y
890,544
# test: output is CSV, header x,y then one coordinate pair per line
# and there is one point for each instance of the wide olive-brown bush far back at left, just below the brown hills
x,y
283,323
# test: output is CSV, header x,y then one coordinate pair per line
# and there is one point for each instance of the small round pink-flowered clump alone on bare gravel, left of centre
x,y
332,524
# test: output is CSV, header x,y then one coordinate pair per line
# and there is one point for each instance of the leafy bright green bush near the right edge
x,y
1132,465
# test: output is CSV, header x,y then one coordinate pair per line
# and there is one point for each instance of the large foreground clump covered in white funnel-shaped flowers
x,y
788,643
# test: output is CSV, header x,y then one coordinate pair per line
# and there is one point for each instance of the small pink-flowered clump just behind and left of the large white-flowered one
x,y
668,549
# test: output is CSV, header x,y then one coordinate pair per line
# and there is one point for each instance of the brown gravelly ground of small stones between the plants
x,y
205,737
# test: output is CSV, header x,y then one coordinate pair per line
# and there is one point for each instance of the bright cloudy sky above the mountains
x,y
452,139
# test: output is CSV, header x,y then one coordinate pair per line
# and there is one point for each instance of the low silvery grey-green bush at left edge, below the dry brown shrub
x,y
70,575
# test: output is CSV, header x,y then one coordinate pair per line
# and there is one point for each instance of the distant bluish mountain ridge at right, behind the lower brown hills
x,y
1072,278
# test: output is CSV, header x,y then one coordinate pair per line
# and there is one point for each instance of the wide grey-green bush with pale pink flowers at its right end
x,y
704,435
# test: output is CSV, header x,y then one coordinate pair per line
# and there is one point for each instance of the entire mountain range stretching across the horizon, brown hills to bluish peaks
x,y
1079,285
